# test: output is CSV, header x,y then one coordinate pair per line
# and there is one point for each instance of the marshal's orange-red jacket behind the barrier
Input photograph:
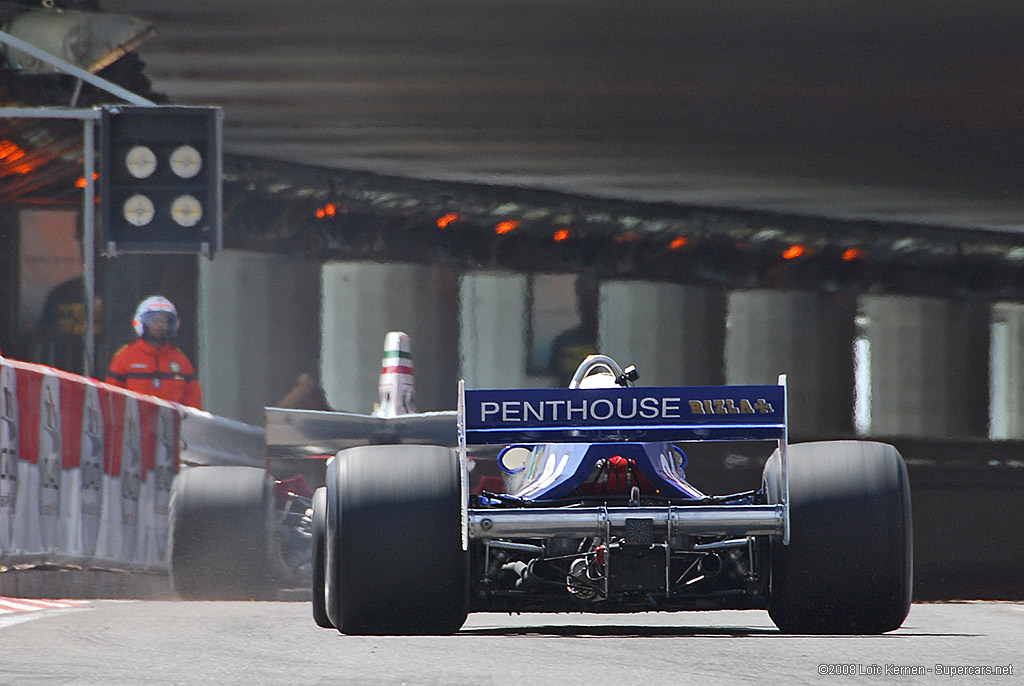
x,y
164,372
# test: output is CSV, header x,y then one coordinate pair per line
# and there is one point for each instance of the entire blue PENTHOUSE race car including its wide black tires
x,y
598,517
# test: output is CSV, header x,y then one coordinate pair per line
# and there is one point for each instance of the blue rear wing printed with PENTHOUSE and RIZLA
x,y
629,415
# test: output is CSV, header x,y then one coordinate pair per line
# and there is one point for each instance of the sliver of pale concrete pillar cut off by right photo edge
x,y
1008,372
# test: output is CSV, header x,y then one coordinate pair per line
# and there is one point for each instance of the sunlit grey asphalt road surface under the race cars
x,y
150,642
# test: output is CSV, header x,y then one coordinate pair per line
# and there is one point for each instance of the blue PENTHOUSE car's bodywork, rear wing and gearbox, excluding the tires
x,y
600,517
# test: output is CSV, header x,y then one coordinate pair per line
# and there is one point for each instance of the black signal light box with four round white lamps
x,y
160,180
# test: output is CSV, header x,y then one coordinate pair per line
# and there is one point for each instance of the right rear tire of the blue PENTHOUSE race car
x,y
848,569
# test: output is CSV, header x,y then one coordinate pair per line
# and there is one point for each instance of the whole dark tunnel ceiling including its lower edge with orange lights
x,y
862,148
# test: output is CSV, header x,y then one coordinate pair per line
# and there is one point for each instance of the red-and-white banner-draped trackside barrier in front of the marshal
x,y
87,468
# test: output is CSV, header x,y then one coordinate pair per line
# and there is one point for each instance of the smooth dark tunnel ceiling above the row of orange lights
x,y
908,112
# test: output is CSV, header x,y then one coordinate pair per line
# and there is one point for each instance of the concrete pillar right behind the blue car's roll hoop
x,y
673,333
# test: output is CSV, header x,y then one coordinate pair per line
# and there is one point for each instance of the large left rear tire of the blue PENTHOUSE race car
x,y
396,562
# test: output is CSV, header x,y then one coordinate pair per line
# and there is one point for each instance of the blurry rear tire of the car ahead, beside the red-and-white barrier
x,y
222,529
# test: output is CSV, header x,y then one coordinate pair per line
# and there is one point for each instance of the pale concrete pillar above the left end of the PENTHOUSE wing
x,y
493,342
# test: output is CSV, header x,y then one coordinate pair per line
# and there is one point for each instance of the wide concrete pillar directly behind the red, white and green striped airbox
x,y
362,302
